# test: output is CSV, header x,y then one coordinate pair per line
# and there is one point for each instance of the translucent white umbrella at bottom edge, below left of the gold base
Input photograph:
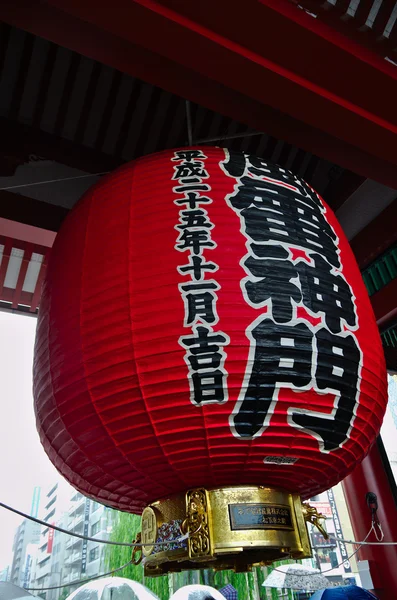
x,y
112,588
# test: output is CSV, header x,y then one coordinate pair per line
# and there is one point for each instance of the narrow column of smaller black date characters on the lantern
x,y
205,354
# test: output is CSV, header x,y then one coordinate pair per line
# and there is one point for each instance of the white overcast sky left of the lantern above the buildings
x,y
23,462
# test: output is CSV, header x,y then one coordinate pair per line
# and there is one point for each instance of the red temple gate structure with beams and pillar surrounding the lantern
x,y
310,85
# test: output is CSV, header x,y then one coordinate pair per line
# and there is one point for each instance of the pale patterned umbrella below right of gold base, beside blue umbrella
x,y
296,577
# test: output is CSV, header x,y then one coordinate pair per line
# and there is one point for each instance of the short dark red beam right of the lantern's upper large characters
x,y
376,237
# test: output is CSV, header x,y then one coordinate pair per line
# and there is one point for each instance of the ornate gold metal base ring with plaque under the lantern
x,y
225,528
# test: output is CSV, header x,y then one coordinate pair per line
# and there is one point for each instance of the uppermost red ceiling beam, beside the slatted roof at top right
x,y
287,36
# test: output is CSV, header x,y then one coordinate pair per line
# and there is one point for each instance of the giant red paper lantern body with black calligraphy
x,y
204,323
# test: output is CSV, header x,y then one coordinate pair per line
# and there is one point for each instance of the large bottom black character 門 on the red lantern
x,y
283,357
